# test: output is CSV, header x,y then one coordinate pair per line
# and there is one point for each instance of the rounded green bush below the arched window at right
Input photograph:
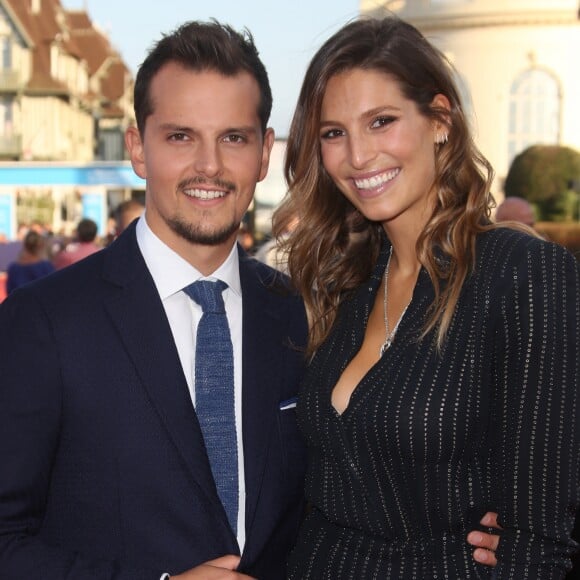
x,y
543,174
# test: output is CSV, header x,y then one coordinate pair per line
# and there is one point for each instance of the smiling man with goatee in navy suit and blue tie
x,y
105,472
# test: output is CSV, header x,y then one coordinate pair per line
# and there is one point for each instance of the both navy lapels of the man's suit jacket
x,y
138,315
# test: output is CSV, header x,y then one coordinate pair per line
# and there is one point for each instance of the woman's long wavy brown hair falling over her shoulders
x,y
333,248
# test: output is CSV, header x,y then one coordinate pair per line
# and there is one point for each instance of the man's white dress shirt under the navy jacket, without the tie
x,y
171,273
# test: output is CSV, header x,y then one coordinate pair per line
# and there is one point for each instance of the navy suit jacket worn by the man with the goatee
x,y
103,470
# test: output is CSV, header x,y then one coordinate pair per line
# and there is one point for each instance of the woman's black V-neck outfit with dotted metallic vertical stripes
x,y
431,442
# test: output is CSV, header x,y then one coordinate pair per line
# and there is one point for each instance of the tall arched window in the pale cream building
x,y
534,111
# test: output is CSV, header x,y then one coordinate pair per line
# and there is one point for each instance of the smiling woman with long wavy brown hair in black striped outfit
x,y
444,369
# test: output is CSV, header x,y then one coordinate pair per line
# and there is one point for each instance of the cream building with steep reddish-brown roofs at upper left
x,y
65,93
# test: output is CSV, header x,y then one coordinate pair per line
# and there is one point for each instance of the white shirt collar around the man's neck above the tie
x,y
171,273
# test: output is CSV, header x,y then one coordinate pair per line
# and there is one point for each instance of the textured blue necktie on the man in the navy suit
x,y
214,391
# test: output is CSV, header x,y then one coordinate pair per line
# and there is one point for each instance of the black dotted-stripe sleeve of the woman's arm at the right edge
x,y
535,464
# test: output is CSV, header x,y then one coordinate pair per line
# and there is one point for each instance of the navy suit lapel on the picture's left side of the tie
x,y
137,312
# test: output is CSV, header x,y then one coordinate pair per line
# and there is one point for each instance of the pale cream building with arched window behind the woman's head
x,y
517,63
